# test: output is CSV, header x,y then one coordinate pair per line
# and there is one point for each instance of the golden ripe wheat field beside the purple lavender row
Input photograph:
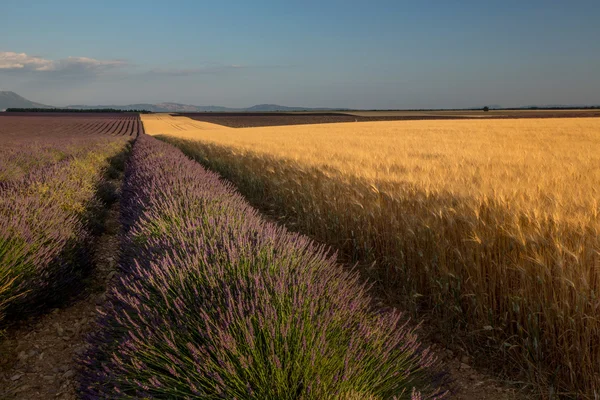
x,y
491,227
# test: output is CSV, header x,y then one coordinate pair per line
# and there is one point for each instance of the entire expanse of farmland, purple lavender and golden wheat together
x,y
487,229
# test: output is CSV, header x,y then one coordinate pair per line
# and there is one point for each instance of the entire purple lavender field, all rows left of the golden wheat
x,y
209,299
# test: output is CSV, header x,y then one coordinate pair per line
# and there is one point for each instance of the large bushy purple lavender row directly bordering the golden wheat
x,y
214,302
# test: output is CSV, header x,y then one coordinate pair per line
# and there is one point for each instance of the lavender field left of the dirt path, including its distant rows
x,y
50,170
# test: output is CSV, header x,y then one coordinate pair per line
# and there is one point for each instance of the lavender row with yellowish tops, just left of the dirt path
x,y
44,228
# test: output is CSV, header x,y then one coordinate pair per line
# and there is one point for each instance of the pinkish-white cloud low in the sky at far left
x,y
12,61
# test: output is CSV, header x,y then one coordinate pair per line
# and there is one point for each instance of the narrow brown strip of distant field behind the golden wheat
x,y
247,120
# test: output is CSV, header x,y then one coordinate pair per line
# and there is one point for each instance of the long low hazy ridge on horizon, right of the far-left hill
x,y
178,107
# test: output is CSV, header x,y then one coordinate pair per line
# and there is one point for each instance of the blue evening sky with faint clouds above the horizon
x,y
351,54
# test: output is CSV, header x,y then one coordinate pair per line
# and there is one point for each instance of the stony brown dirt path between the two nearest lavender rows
x,y
37,357
